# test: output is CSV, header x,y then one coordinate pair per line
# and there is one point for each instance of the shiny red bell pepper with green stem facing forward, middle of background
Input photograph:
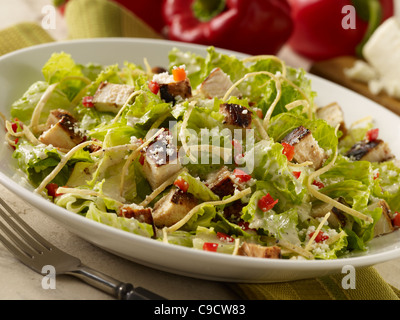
x,y
249,26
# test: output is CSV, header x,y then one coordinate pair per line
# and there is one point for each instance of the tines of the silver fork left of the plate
x,y
29,235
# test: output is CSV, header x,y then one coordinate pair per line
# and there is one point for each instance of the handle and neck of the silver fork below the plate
x,y
113,287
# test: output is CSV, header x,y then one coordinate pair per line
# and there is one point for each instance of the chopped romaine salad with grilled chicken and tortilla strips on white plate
x,y
214,153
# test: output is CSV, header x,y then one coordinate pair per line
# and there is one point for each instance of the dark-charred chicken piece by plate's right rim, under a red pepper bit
x,y
373,151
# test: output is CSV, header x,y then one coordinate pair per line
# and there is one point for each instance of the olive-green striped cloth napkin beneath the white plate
x,y
101,18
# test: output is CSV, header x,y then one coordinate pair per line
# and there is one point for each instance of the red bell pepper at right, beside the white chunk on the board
x,y
319,33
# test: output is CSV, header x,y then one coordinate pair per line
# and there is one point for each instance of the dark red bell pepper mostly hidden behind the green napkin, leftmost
x,y
149,11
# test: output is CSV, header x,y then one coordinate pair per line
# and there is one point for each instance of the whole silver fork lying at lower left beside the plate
x,y
36,252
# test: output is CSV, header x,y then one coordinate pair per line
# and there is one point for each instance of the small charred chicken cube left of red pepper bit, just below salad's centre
x,y
221,182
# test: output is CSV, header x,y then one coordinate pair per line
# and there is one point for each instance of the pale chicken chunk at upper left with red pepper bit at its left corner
x,y
110,97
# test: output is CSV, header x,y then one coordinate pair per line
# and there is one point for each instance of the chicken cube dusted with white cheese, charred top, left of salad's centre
x,y
161,160
